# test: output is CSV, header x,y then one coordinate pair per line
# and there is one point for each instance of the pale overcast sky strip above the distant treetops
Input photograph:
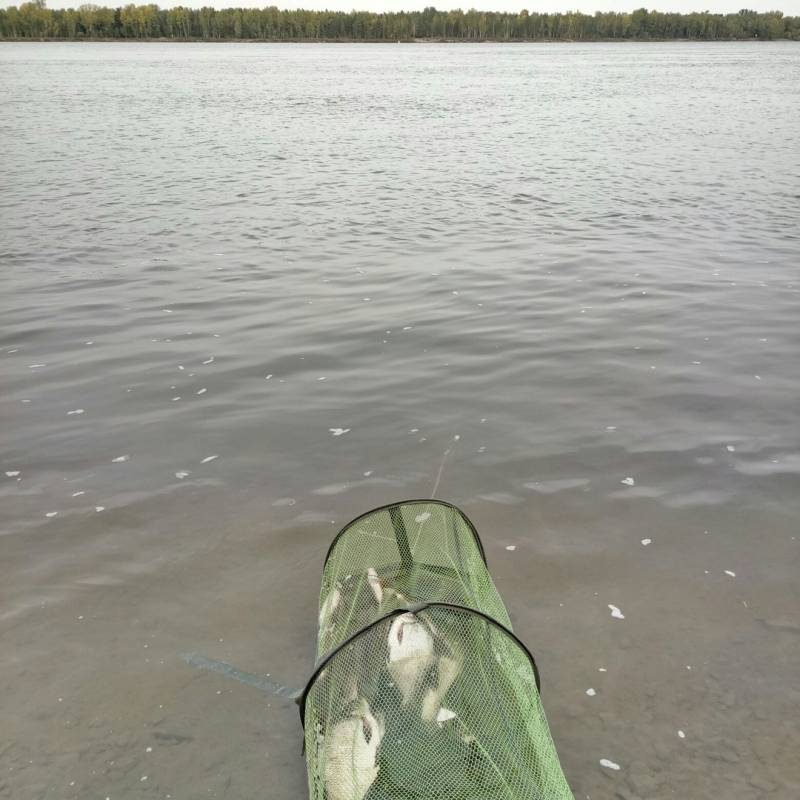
x,y
789,7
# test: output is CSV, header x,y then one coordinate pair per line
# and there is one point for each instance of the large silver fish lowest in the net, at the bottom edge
x,y
350,754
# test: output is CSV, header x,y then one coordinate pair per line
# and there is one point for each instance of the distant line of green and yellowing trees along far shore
x,y
34,20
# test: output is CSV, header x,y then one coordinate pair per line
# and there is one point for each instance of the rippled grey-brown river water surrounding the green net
x,y
250,291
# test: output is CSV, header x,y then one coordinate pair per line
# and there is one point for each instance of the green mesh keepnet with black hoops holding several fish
x,y
421,690
